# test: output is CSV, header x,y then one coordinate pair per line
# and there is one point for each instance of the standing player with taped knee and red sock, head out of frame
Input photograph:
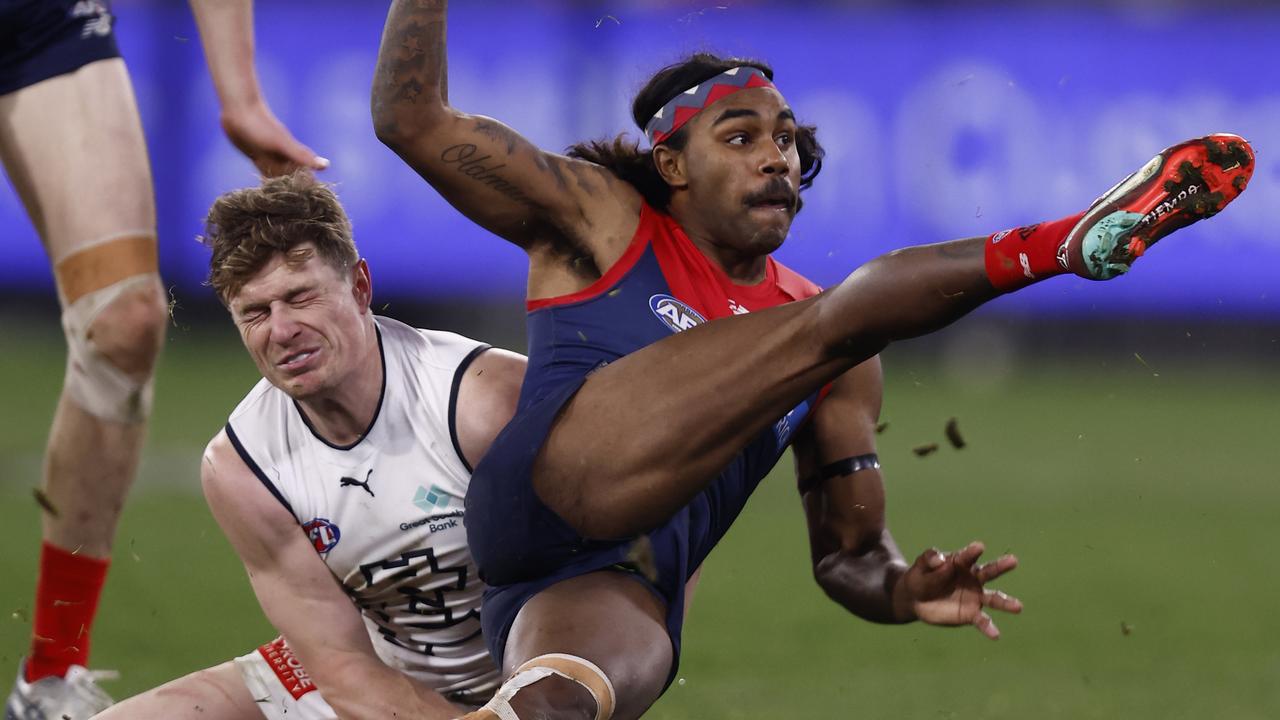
x,y
72,147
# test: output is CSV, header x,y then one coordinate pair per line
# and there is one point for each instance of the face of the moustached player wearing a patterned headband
x,y
743,170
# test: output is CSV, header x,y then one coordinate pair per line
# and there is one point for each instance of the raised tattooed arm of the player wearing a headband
x,y
482,167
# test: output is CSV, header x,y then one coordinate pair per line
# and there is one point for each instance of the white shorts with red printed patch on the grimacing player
x,y
281,686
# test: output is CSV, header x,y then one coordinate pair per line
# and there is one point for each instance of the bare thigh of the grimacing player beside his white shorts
x,y
217,694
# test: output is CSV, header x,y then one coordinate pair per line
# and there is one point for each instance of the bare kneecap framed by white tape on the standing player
x,y
130,330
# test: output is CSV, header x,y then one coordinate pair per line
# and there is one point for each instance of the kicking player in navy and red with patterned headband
x,y
610,486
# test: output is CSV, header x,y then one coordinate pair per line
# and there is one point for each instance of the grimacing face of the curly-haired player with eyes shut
x,y
304,323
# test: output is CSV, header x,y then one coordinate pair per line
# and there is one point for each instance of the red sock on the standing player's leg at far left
x,y
67,598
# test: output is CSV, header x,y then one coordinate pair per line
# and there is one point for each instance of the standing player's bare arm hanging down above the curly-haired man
x,y
227,34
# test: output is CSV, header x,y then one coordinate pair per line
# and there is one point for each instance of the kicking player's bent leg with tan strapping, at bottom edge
x,y
606,618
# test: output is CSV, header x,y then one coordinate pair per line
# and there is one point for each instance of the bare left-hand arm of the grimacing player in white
x,y
301,598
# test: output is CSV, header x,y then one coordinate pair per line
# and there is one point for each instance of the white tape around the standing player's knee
x,y
93,382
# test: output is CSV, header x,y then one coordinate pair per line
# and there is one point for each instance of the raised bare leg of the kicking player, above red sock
x,y
646,434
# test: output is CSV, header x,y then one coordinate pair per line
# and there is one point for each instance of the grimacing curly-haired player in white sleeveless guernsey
x,y
340,481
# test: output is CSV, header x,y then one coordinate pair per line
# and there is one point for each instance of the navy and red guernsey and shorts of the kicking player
x,y
661,285
